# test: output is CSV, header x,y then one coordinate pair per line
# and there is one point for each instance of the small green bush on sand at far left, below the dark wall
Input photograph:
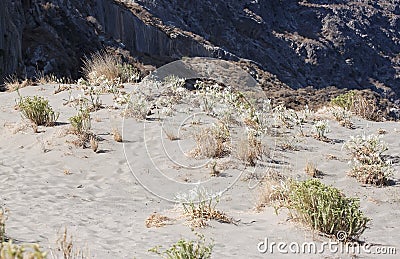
x,y
37,110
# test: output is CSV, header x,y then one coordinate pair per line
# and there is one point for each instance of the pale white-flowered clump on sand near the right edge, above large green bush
x,y
368,163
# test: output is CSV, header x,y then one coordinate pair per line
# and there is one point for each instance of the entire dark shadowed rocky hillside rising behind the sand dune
x,y
318,43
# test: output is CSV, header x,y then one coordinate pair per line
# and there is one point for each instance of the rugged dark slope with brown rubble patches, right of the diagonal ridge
x,y
353,44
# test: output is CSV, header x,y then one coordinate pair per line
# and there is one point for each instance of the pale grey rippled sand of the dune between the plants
x,y
104,202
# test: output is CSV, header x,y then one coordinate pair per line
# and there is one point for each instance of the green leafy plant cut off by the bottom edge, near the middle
x,y
187,249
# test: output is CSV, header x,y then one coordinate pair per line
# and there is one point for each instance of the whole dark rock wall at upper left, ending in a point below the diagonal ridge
x,y
53,36
